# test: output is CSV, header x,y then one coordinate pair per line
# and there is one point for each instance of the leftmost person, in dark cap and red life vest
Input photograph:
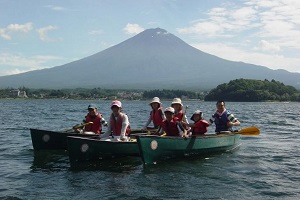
x,y
96,119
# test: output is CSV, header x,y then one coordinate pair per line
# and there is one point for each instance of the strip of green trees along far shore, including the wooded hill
x,y
235,90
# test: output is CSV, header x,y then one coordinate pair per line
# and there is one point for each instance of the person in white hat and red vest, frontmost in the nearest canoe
x,y
171,126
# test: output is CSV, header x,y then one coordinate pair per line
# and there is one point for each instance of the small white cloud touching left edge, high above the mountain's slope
x,y
14,28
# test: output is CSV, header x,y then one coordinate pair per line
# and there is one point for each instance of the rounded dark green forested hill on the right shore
x,y
254,91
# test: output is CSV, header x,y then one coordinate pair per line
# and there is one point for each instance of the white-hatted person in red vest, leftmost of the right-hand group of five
x,y
156,115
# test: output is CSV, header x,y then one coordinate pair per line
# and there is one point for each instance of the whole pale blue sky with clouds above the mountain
x,y
42,34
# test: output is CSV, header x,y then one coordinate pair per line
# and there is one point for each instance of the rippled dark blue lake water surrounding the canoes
x,y
264,167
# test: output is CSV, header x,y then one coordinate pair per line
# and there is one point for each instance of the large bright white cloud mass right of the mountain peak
x,y
271,29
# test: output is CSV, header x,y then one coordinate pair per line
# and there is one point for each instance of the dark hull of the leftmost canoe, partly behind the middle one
x,y
52,140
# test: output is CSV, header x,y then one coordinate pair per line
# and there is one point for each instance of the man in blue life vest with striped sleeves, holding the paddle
x,y
223,119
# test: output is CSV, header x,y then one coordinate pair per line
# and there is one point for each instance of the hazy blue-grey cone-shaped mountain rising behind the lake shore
x,y
153,59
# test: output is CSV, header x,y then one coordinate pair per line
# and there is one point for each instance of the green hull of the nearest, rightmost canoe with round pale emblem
x,y
156,148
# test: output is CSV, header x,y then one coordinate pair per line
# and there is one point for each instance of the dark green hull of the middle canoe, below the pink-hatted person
x,y
88,149
